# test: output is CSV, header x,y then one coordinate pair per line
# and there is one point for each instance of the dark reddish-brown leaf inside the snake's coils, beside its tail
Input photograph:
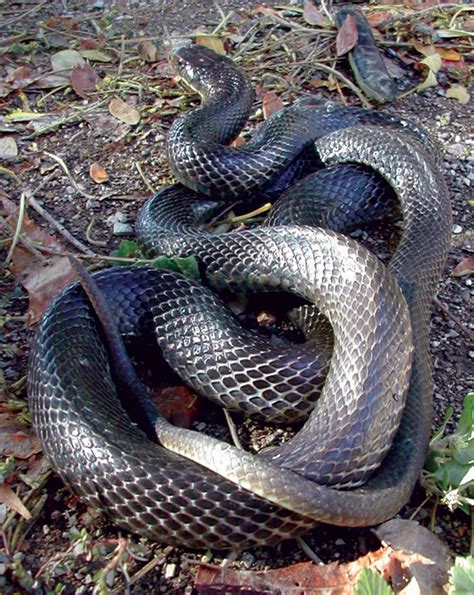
x,y
178,404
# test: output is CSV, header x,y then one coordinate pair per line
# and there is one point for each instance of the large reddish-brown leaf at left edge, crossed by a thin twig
x,y
42,277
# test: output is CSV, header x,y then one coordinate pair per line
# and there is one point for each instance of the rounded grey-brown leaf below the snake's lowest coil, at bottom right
x,y
423,555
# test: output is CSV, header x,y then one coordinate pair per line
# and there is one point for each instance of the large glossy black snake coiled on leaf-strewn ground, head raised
x,y
364,437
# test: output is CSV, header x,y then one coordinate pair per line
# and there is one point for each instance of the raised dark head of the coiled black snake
x,y
198,66
